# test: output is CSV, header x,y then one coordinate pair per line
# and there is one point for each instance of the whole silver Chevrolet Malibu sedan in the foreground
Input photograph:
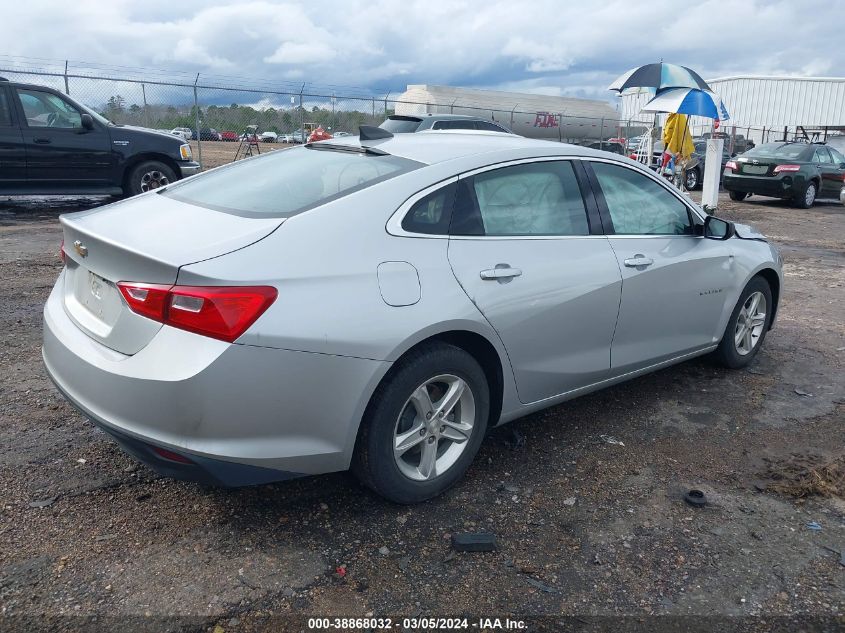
x,y
379,302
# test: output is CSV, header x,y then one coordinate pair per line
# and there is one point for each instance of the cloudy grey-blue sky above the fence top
x,y
572,47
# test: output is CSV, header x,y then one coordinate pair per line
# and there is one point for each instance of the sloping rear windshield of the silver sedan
x,y
287,182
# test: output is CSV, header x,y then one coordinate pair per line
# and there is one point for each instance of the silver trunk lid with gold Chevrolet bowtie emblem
x,y
144,239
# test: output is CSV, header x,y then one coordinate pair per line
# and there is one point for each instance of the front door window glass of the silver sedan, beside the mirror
x,y
640,206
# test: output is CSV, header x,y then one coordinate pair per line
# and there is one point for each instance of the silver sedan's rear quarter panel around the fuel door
x,y
325,262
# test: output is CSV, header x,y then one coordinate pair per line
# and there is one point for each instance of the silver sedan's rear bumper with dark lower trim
x,y
241,414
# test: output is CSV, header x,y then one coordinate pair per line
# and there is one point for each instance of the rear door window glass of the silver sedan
x,y
541,198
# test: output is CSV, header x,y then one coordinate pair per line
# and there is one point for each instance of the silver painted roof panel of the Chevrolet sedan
x,y
432,147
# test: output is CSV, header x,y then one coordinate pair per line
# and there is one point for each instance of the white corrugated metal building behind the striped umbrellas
x,y
769,103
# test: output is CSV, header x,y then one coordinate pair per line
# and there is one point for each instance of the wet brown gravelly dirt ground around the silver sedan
x,y
587,529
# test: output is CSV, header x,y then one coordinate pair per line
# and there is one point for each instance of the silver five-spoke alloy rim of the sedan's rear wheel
x,y
434,427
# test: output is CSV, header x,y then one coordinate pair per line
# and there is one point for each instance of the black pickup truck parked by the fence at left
x,y
50,144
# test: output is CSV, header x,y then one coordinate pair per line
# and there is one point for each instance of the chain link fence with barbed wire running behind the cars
x,y
218,113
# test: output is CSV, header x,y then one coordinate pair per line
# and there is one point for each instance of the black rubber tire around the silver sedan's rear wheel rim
x,y
374,463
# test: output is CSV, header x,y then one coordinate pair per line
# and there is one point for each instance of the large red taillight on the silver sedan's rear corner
x,y
221,312
